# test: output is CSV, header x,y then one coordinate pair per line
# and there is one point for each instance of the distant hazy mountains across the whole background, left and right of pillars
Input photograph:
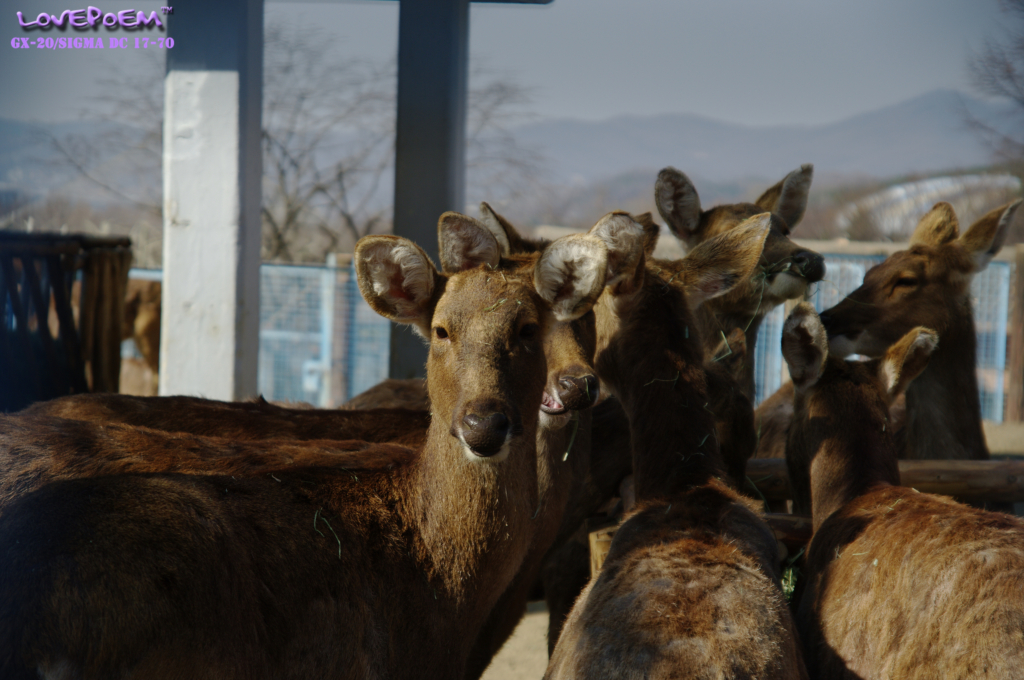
x,y
612,161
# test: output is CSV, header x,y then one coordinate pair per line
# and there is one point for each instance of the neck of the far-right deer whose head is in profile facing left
x,y
943,404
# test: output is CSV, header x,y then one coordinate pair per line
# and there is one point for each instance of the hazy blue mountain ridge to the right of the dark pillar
x,y
923,135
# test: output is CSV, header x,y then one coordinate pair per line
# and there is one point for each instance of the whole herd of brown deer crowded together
x,y
184,538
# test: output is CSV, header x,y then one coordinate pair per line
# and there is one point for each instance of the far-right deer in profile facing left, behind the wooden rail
x,y
929,285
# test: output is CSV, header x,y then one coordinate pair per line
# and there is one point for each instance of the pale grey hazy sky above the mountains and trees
x,y
752,62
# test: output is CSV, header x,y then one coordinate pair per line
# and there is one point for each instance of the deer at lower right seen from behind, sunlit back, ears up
x,y
899,584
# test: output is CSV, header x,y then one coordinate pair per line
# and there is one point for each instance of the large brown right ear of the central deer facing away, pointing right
x,y
716,266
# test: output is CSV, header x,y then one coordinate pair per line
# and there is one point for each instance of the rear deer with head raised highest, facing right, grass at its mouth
x,y
786,269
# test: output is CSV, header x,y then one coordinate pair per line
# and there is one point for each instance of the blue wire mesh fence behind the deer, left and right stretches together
x,y
321,344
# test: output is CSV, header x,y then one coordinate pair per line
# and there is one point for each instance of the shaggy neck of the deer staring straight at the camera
x,y
474,517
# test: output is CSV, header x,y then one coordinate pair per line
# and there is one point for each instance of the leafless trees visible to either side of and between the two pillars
x,y
328,147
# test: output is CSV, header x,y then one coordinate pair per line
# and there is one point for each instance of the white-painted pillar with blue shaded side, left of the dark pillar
x,y
212,173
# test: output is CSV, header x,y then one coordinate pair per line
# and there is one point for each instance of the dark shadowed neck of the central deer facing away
x,y
660,380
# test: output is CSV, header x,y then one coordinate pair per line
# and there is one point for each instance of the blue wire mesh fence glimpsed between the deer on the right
x,y
844,274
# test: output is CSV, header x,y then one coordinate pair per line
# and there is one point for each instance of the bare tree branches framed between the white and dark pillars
x,y
328,144
